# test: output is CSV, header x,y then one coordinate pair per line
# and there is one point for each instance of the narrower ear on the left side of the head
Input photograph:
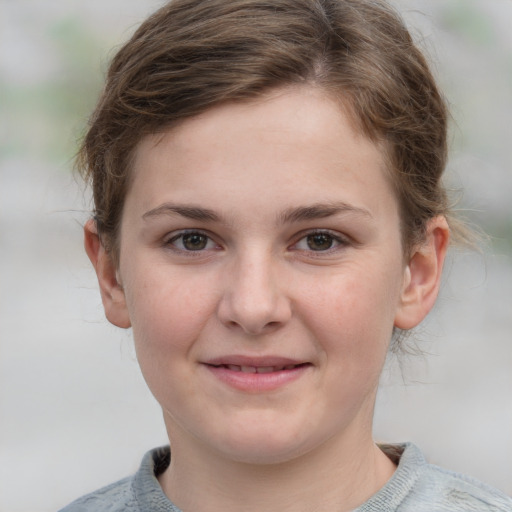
x,y
112,293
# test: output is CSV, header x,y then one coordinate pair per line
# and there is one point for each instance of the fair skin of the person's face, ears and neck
x,y
254,235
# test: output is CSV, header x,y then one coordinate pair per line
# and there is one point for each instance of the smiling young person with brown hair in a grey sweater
x,y
269,215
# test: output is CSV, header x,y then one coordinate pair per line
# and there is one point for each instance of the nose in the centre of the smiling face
x,y
254,299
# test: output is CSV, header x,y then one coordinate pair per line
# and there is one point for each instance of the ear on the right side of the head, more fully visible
x,y
422,276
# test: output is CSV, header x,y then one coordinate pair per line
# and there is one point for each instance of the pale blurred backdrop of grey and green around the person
x,y
74,411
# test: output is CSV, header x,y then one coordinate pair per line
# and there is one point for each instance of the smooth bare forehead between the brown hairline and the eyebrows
x,y
295,143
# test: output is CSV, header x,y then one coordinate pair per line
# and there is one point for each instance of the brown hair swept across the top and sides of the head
x,y
192,55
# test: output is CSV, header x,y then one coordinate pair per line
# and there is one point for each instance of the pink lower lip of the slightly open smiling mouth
x,y
257,382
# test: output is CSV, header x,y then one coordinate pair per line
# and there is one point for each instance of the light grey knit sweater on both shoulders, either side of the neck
x,y
416,486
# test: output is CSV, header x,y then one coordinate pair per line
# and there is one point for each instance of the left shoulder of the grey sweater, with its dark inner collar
x,y
138,493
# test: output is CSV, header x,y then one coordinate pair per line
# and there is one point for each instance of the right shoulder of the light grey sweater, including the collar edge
x,y
418,486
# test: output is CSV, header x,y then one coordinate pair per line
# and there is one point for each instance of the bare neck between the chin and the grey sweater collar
x,y
337,476
